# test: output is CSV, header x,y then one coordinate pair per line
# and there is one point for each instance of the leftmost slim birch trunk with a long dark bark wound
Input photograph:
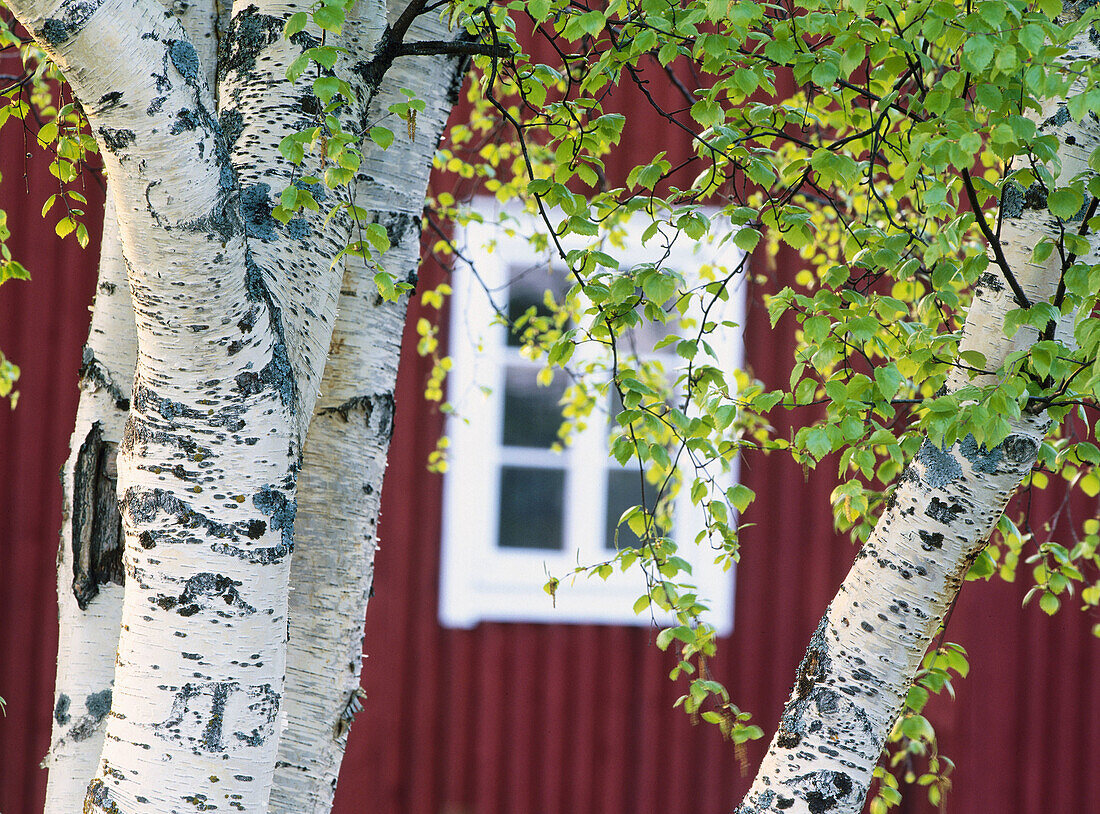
x,y
90,562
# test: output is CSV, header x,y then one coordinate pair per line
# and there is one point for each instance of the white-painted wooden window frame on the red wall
x,y
482,582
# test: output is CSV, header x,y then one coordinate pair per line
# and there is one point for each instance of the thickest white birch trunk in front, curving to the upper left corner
x,y
208,464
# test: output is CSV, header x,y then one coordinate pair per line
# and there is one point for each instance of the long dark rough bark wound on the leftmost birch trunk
x,y
97,525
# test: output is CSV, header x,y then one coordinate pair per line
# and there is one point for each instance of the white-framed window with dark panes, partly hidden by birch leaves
x,y
515,511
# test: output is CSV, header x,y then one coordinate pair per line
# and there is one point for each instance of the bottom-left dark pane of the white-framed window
x,y
532,503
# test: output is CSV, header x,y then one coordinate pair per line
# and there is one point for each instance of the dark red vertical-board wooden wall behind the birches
x,y
535,719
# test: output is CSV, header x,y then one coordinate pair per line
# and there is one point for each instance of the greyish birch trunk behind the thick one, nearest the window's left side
x,y
348,442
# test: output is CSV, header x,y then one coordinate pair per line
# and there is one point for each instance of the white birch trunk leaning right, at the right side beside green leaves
x,y
867,650
